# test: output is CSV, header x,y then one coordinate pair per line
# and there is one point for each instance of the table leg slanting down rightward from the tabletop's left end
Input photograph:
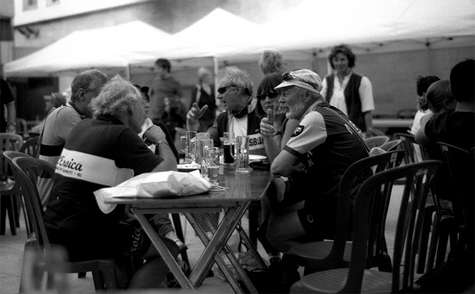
x,y
164,252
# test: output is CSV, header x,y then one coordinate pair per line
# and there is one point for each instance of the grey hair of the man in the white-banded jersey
x,y
117,96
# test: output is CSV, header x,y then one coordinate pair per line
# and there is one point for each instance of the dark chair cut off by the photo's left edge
x,y
8,203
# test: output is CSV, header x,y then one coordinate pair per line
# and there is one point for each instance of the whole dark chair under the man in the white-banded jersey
x,y
26,171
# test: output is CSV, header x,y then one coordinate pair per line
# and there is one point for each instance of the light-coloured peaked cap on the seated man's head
x,y
302,78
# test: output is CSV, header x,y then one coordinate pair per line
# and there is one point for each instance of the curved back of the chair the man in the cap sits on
x,y
355,174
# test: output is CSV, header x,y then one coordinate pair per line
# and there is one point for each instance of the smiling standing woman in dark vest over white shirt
x,y
348,91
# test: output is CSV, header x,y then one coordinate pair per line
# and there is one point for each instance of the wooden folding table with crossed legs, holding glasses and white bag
x,y
241,190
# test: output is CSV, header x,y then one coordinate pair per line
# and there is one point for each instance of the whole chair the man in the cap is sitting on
x,y
323,255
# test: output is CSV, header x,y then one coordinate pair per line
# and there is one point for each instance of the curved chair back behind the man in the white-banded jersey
x,y
26,171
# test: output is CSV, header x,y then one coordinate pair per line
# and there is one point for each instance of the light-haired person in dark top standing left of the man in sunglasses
x,y
203,95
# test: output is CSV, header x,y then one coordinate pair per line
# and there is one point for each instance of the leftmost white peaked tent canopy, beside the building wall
x,y
109,47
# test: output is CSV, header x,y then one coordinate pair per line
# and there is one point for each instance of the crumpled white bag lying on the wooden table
x,y
154,185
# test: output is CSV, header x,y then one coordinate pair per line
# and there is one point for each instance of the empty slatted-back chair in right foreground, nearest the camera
x,y
357,278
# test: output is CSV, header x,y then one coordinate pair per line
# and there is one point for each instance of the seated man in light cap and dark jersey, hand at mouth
x,y
310,165
